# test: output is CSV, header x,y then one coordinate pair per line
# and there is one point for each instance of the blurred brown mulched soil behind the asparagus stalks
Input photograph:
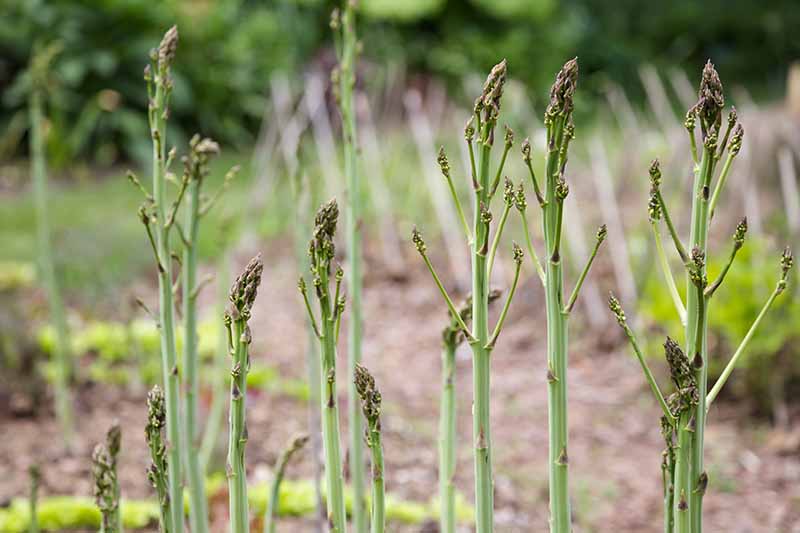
x,y
615,447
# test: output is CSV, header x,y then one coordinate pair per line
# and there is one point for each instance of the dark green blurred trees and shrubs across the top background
x,y
230,48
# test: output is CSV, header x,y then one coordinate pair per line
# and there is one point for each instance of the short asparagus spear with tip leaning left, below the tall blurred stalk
x,y
371,407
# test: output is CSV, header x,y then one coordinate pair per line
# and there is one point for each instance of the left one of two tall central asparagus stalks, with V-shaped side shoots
x,y
484,187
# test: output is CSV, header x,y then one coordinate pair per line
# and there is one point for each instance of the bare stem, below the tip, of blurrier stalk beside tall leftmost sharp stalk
x,y
198,509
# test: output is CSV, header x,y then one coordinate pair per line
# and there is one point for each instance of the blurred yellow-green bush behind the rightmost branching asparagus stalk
x,y
769,370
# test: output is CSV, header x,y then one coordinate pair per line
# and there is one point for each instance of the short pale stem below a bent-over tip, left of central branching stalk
x,y
447,442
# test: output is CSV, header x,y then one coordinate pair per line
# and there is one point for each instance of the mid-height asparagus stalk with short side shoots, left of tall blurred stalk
x,y
322,251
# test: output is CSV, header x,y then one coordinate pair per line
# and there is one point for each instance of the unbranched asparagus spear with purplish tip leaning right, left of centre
x,y
242,296
